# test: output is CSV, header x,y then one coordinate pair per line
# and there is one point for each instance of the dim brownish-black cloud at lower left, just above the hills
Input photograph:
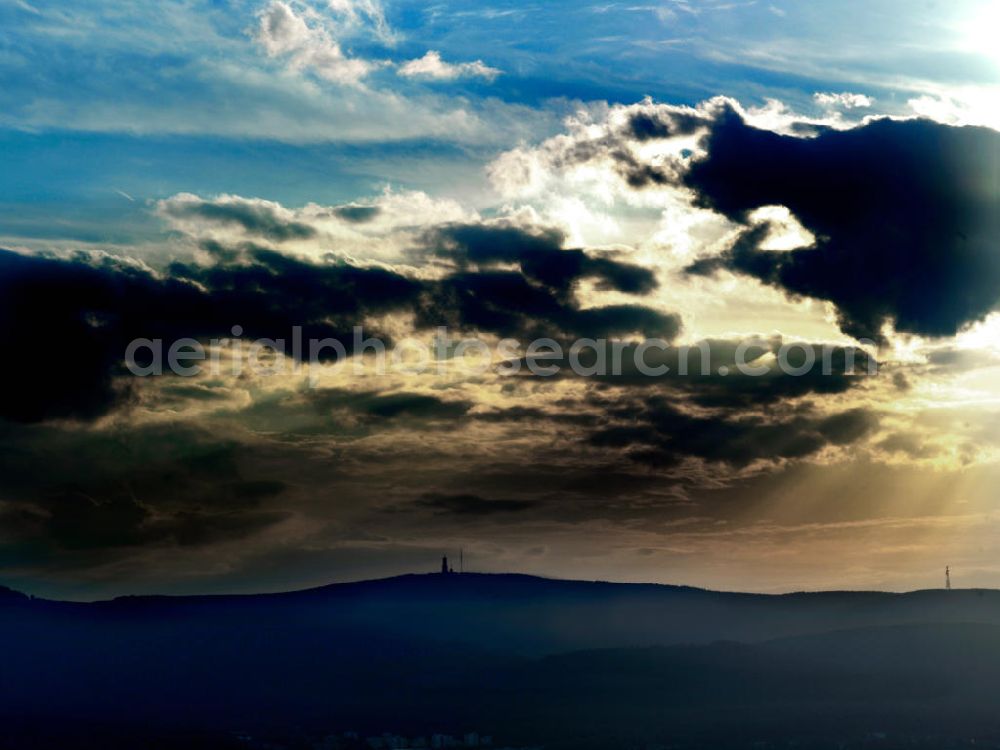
x,y
81,491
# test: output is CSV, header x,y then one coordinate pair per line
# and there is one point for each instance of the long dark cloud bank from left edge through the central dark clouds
x,y
65,323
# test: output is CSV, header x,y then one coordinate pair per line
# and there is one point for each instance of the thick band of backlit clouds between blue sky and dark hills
x,y
887,225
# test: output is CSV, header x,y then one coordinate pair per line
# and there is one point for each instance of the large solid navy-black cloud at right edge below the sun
x,y
906,216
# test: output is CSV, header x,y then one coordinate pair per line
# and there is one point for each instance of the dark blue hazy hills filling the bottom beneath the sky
x,y
532,661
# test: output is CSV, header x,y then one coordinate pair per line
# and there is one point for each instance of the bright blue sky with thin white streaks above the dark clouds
x,y
100,99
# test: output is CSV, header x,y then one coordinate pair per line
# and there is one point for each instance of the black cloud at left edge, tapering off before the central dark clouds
x,y
65,323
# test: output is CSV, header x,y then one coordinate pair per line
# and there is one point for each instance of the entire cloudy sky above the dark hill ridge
x,y
751,178
